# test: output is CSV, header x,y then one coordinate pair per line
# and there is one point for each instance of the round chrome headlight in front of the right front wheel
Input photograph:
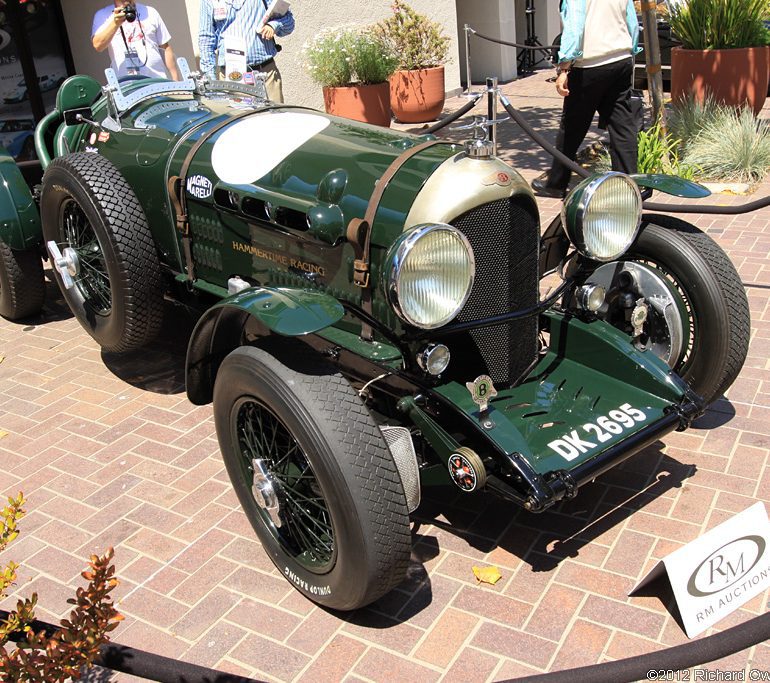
x,y
602,215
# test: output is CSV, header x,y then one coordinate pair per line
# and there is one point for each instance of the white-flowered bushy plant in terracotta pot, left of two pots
x,y
353,66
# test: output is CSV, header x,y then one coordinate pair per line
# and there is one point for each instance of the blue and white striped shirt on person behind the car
x,y
242,19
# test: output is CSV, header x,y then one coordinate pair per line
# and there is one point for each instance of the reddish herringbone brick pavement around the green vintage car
x,y
109,452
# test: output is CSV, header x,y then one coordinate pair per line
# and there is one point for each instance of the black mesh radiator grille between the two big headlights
x,y
504,236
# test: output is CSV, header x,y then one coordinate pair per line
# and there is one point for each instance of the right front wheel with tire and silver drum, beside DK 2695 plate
x,y
694,309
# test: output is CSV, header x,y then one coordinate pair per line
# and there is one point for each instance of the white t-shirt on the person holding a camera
x,y
143,38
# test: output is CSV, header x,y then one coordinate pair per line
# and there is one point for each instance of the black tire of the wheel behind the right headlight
x,y
710,296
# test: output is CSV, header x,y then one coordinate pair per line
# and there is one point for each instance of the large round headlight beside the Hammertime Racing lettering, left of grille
x,y
430,274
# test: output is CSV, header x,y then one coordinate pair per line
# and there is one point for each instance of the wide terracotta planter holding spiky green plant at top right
x,y
735,77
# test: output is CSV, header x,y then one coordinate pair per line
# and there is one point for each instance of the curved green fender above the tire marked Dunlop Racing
x,y
224,327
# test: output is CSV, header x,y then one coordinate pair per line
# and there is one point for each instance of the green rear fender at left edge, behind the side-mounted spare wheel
x,y
20,226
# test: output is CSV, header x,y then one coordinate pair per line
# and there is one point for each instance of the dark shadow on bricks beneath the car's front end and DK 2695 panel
x,y
486,523
